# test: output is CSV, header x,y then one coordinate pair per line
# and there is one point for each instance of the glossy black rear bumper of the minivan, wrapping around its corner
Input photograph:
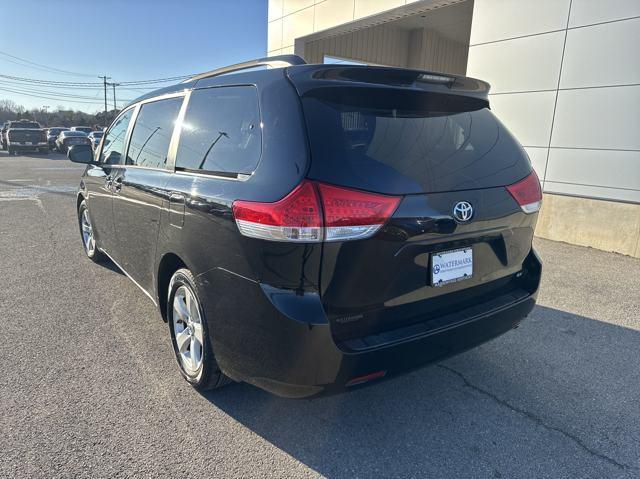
x,y
282,342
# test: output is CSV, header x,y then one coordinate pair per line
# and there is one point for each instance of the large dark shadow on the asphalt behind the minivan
x,y
536,402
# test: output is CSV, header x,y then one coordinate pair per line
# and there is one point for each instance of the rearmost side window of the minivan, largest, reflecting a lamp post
x,y
221,131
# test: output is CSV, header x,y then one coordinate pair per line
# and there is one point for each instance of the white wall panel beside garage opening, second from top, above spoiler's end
x,y
523,64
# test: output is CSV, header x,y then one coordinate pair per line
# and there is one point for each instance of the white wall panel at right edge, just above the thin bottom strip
x,y
598,168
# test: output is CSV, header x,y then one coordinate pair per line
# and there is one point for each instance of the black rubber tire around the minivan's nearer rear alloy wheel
x,y
208,375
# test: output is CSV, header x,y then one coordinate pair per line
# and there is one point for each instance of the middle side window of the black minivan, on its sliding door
x,y
152,132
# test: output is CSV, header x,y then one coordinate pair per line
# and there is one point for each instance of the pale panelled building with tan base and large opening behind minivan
x,y
565,78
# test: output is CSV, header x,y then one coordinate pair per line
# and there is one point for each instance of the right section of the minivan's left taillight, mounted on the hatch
x,y
351,214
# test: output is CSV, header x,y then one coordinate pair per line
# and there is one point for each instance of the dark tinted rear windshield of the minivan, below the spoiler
x,y
403,141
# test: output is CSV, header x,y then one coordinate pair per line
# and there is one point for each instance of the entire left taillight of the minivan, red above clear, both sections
x,y
315,212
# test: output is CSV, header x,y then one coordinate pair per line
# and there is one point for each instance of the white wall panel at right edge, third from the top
x,y
598,118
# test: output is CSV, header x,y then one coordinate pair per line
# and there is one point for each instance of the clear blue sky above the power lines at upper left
x,y
125,39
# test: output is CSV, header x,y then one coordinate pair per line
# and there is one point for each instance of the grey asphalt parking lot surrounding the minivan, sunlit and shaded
x,y
89,387
